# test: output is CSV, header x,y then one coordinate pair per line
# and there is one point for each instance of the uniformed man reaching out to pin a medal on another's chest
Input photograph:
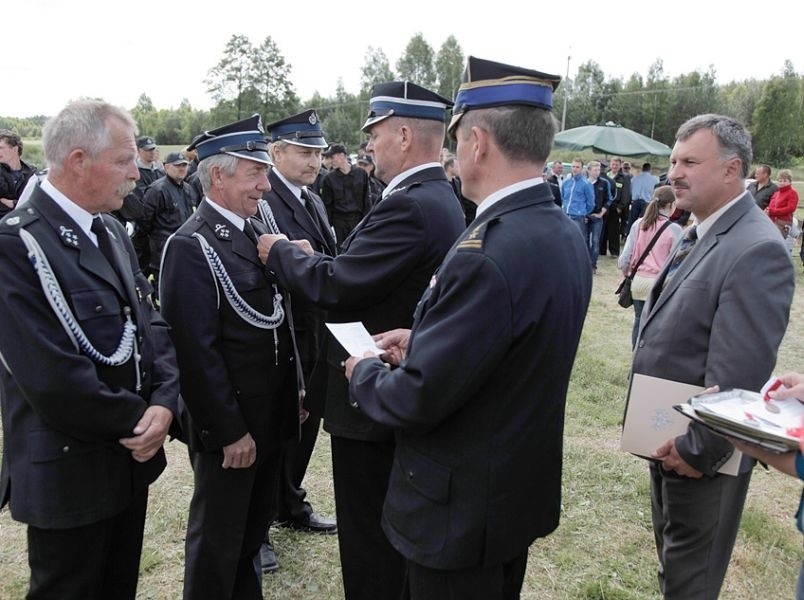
x,y
385,265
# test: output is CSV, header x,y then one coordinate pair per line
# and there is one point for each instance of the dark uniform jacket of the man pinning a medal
x,y
378,278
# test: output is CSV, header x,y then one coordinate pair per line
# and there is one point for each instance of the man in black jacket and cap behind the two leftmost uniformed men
x,y
168,203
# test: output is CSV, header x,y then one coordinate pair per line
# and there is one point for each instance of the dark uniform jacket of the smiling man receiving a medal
x,y
230,380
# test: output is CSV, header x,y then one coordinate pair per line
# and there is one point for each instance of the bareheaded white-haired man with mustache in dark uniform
x,y
89,387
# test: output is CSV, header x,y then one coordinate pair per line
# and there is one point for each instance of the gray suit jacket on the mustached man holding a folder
x,y
720,319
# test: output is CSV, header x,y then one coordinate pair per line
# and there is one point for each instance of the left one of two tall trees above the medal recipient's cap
x,y
229,80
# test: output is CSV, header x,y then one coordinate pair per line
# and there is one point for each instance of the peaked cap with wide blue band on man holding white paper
x,y
486,84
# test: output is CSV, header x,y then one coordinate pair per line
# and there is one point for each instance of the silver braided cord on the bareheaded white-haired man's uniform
x,y
55,296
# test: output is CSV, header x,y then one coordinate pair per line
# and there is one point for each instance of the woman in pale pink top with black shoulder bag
x,y
642,232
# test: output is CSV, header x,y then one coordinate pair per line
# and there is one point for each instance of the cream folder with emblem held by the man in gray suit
x,y
651,420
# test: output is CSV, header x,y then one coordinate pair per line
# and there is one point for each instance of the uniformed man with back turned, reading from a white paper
x,y
478,401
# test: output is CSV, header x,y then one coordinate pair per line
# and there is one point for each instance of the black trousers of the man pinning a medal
x,y
372,569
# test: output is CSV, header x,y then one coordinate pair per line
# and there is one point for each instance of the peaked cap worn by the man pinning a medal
x,y
404,99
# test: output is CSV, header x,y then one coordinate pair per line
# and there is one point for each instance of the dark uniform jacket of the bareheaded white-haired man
x,y
63,413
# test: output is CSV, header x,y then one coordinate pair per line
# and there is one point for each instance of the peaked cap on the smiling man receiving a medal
x,y
242,139
